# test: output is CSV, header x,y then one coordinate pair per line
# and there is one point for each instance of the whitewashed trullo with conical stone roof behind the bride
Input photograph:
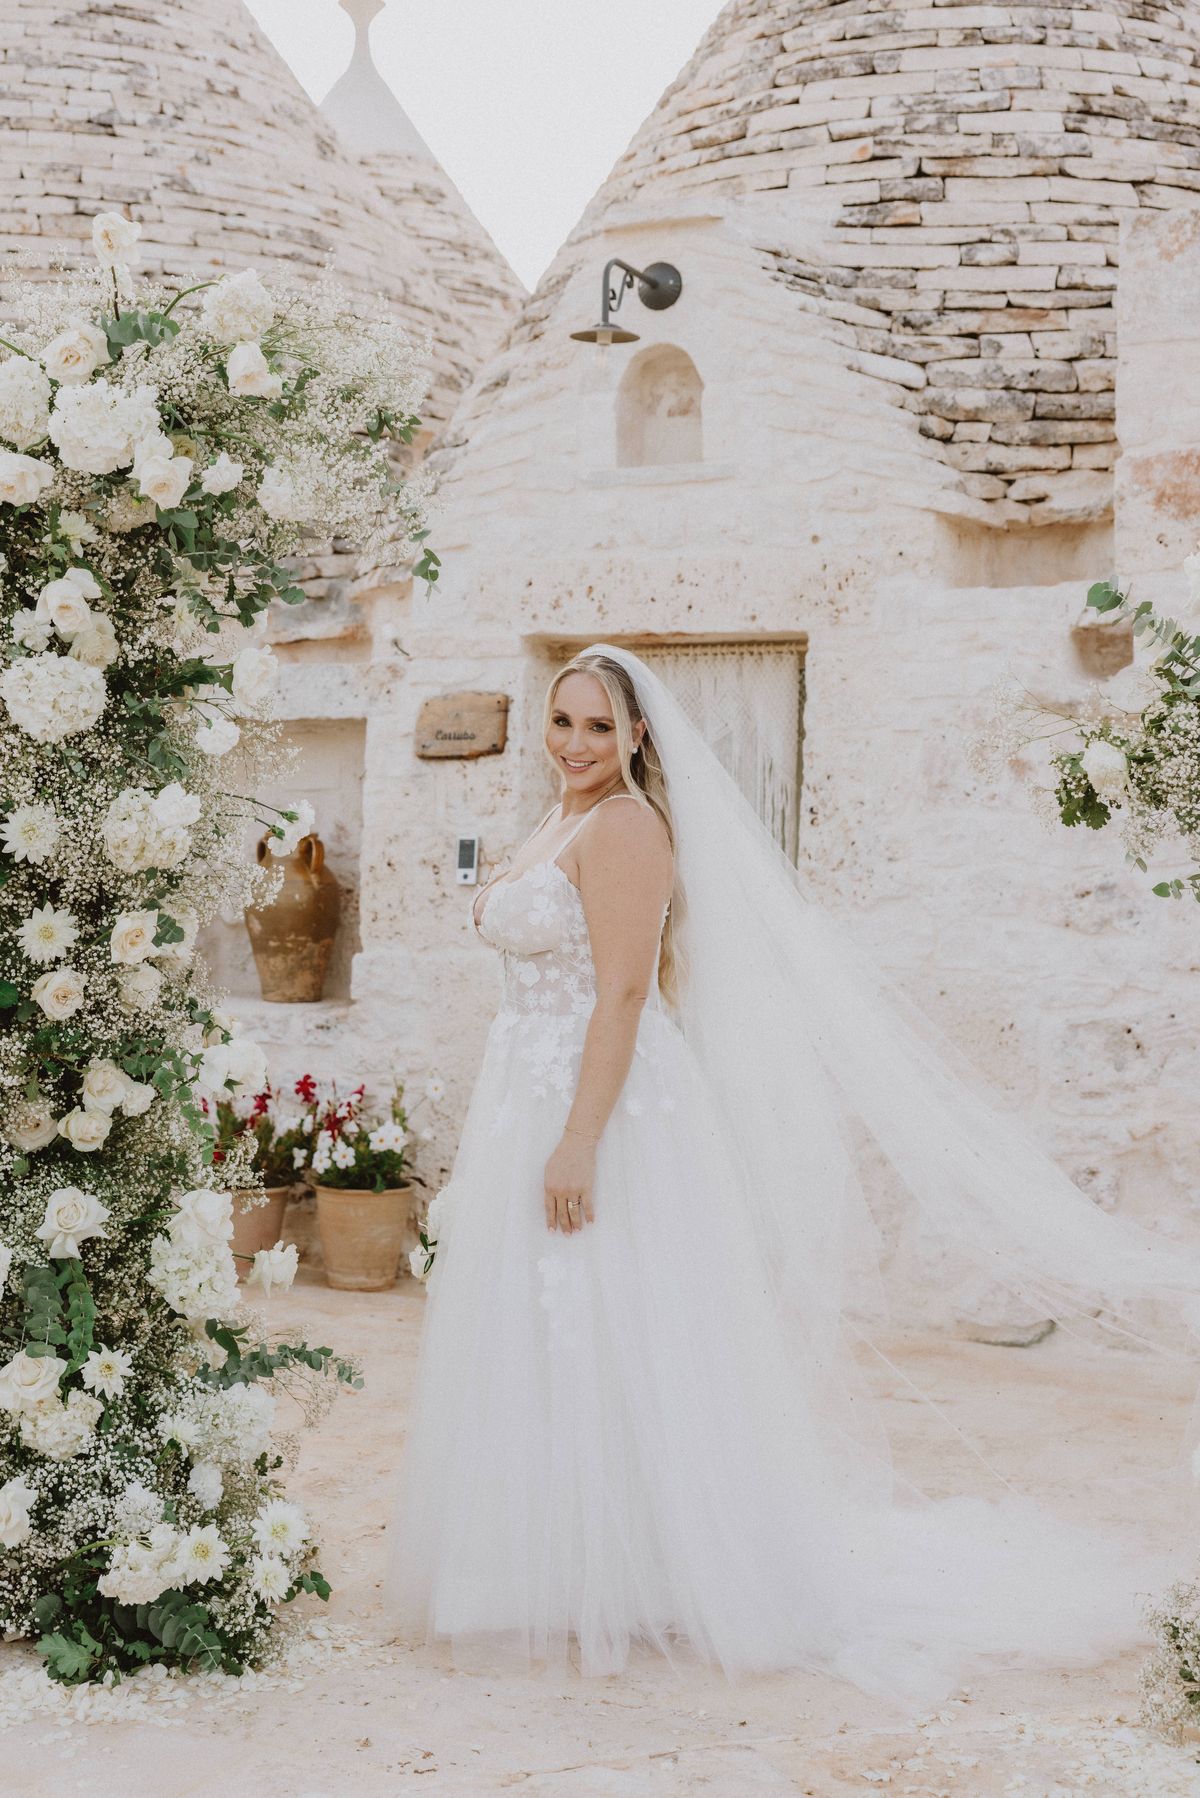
x,y
859,470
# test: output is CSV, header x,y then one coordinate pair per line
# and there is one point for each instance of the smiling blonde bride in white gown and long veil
x,y
638,1418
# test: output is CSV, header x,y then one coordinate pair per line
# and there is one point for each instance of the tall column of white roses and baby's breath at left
x,y
161,454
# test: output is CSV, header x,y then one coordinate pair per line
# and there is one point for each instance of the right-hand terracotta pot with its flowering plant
x,y
359,1168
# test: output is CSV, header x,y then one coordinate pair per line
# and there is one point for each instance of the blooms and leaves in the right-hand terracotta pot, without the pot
x,y
341,1144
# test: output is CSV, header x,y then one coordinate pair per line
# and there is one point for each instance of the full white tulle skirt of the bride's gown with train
x,y
613,1443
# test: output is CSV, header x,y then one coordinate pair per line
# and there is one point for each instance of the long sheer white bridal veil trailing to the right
x,y
830,1085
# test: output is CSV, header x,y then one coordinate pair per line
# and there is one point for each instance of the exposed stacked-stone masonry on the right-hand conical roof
x,y
978,163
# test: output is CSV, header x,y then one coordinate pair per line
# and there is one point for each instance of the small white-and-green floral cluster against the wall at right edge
x,y
1138,763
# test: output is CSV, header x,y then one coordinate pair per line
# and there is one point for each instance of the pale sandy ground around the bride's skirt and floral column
x,y
363,1716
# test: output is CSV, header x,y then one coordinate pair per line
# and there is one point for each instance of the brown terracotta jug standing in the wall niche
x,y
294,936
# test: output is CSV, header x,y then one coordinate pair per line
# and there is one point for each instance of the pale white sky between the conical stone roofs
x,y
526,103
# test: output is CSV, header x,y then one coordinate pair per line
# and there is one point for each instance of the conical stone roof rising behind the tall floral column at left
x,y
183,114
